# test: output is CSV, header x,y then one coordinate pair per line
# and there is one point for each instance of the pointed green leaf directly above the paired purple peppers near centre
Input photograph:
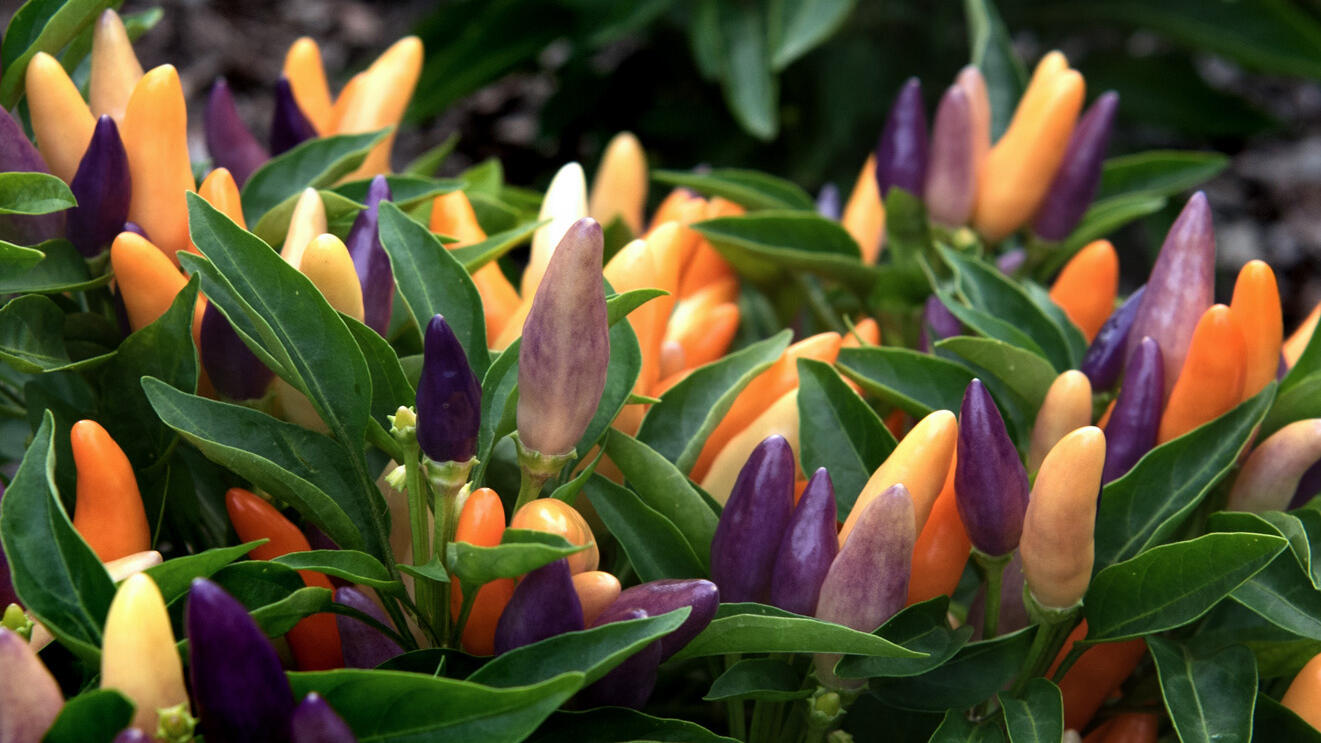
x,y
837,430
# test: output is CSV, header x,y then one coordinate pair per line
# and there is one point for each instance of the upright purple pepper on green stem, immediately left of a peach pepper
x,y
990,481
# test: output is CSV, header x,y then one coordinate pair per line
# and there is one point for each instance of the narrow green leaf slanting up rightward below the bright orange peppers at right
x,y
1183,471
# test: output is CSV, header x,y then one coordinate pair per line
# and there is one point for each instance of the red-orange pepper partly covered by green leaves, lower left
x,y
316,639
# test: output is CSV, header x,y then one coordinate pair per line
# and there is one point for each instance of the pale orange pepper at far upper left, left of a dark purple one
x,y
60,117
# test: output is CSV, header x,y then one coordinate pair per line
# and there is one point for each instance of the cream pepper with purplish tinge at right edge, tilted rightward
x,y
1271,474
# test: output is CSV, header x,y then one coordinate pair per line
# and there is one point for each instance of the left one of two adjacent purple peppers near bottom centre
x,y
751,528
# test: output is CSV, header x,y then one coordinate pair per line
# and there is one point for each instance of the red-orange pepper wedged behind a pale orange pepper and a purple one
x,y
941,551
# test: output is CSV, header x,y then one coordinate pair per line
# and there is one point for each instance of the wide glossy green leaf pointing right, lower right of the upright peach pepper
x,y
1174,585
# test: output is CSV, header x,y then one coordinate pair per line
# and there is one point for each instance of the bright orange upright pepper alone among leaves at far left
x,y
109,511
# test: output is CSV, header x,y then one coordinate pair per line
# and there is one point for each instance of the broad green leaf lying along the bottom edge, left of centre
x,y
393,707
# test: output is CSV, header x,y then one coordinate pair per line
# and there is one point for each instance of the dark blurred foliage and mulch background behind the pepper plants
x,y
801,88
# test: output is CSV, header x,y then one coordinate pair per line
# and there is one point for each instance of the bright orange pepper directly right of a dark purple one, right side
x,y
1212,380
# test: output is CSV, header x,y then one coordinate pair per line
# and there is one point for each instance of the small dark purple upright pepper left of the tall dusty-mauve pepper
x,y
450,397
